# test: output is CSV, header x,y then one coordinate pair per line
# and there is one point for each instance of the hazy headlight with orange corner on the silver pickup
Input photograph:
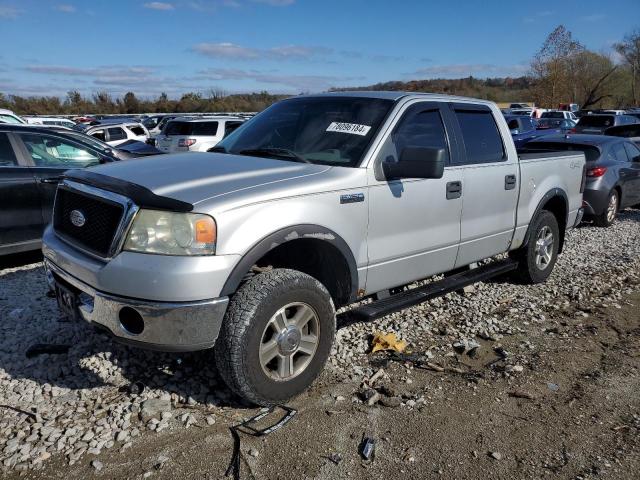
x,y
168,233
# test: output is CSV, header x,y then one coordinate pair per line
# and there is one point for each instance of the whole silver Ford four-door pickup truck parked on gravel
x,y
316,203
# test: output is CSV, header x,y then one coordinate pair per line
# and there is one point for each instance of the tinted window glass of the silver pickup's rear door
x,y
482,140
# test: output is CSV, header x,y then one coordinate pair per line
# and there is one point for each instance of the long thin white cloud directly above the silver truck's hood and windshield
x,y
228,50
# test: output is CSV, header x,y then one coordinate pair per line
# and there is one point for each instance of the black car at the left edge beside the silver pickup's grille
x,y
32,162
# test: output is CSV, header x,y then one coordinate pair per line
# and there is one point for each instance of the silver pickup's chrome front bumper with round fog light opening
x,y
167,326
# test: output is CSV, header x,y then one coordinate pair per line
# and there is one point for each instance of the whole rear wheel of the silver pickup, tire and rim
x,y
538,257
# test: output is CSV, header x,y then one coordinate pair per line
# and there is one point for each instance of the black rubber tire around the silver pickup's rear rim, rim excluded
x,y
528,270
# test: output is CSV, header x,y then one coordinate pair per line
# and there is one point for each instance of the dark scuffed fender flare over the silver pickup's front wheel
x,y
288,234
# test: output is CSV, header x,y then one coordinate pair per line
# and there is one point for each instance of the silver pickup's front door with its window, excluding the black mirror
x,y
414,224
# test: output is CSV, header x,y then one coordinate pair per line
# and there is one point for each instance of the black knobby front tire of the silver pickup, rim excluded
x,y
249,311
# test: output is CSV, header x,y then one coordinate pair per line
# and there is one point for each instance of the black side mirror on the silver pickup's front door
x,y
416,162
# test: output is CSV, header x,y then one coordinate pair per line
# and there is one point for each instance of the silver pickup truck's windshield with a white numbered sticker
x,y
322,130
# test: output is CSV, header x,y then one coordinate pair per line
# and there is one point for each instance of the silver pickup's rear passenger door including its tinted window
x,y
490,188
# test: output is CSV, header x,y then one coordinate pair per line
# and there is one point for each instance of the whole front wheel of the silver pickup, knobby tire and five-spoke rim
x,y
276,336
